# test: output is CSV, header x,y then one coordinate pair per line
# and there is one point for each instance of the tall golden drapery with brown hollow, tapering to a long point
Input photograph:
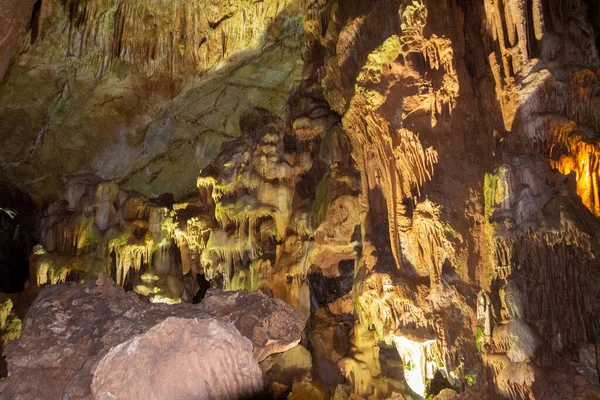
x,y
396,163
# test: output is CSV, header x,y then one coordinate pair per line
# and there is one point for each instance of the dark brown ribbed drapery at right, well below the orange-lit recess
x,y
572,256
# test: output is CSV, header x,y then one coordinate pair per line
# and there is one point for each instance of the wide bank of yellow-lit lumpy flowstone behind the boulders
x,y
256,223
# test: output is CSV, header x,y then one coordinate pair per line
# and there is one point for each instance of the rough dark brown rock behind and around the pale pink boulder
x,y
71,327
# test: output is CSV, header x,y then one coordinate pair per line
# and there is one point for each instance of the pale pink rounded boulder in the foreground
x,y
180,359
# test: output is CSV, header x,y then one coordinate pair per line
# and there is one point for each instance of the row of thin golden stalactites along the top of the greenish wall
x,y
157,35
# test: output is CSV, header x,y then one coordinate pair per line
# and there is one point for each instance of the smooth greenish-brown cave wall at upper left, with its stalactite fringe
x,y
145,92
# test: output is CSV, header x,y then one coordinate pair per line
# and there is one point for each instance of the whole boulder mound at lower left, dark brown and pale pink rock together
x,y
78,331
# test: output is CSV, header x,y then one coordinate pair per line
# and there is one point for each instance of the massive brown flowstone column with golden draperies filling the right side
x,y
519,216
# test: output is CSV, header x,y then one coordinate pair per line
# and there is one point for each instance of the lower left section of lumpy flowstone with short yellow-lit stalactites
x,y
98,229
